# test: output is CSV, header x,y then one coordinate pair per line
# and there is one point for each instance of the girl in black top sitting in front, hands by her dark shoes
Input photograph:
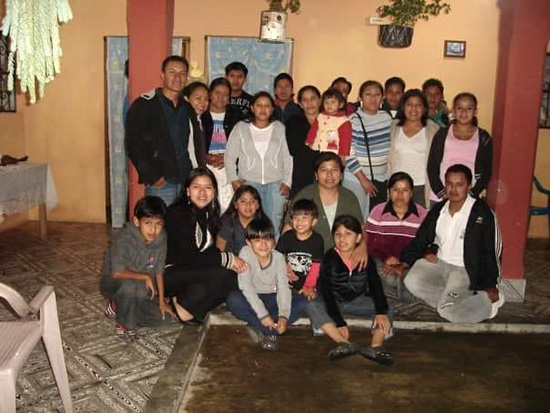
x,y
345,290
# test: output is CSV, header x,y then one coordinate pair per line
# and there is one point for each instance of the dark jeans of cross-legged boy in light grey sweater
x,y
239,306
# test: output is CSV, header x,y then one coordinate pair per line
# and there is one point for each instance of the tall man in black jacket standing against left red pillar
x,y
158,134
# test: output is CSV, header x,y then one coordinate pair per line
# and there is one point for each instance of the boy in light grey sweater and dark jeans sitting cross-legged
x,y
265,300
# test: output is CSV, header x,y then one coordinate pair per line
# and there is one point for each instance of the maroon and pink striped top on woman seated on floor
x,y
387,234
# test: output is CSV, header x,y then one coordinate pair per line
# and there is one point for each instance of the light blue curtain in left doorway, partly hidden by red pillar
x,y
117,107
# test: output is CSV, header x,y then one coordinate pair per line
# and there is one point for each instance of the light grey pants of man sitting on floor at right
x,y
446,288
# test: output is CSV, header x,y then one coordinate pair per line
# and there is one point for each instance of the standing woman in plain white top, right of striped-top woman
x,y
411,138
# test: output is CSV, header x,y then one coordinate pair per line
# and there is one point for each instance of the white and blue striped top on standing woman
x,y
378,136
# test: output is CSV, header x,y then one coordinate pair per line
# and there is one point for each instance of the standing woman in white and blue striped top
x,y
367,165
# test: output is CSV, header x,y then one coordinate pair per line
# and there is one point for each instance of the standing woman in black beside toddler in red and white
x,y
297,128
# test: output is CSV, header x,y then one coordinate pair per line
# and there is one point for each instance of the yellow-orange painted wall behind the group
x,y
67,127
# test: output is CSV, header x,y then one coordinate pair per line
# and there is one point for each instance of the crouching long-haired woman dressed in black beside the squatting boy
x,y
198,276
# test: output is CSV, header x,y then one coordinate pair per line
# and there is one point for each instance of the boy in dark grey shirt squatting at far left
x,y
133,270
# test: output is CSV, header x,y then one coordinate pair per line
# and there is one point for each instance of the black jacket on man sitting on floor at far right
x,y
482,244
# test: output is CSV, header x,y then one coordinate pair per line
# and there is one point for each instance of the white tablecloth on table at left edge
x,y
24,186
